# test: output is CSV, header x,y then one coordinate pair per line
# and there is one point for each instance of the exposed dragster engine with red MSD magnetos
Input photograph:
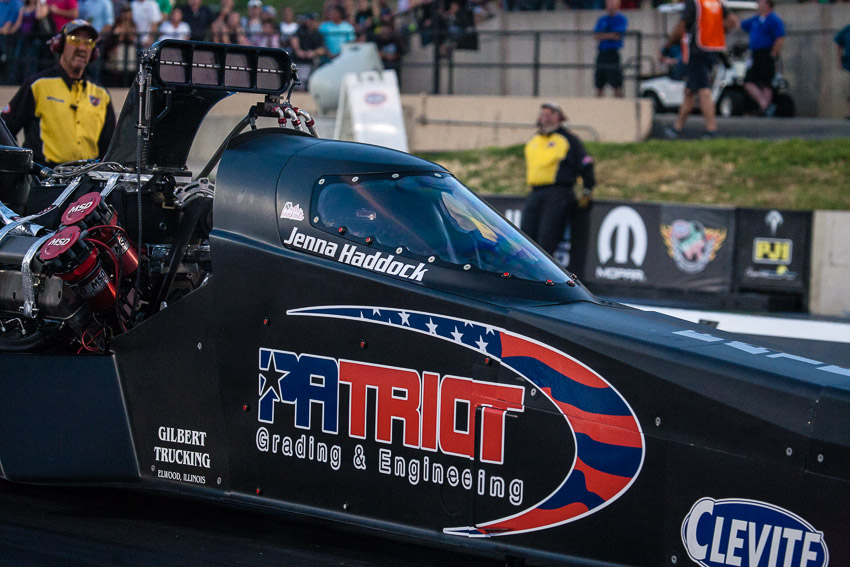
x,y
92,271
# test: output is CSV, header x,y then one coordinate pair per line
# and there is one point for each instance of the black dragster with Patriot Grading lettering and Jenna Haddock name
x,y
357,337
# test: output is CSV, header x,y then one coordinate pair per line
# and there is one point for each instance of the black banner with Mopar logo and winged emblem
x,y
661,246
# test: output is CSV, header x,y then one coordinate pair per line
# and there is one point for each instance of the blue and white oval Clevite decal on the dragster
x,y
749,533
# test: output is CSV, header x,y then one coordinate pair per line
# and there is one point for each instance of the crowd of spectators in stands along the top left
x,y
311,39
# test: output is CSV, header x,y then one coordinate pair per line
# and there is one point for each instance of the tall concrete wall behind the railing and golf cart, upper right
x,y
809,55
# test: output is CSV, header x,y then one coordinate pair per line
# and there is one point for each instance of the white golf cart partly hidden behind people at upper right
x,y
667,90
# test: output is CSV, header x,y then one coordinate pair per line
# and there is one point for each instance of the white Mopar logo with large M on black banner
x,y
622,236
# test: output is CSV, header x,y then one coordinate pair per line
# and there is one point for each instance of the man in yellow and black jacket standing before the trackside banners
x,y
555,158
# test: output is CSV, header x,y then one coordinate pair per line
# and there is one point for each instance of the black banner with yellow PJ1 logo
x,y
772,249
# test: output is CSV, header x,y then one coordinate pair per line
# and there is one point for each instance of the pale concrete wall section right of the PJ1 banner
x,y
830,279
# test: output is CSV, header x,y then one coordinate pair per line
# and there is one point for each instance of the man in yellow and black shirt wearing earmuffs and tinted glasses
x,y
65,116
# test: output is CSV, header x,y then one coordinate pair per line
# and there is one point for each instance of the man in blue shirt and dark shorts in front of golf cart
x,y
767,33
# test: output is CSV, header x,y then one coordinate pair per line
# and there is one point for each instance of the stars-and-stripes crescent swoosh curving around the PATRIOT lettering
x,y
609,442
